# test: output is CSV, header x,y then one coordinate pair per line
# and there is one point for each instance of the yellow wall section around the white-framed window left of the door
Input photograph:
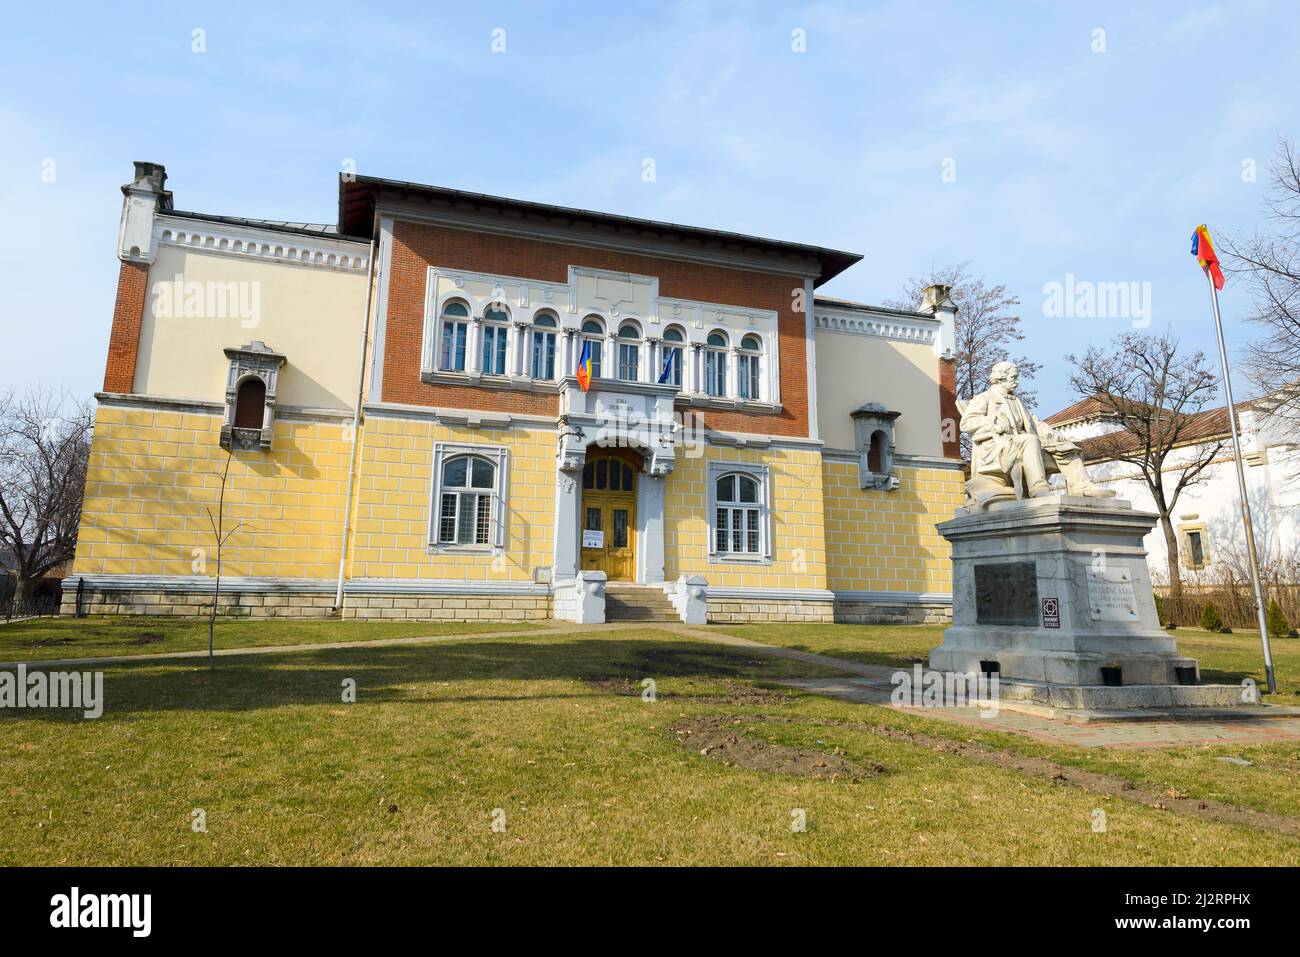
x,y
395,500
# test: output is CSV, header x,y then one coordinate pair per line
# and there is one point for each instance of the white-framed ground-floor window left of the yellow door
x,y
469,496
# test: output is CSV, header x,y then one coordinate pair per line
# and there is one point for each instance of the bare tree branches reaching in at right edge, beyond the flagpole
x,y
1269,263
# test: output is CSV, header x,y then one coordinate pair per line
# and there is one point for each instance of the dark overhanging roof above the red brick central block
x,y
358,197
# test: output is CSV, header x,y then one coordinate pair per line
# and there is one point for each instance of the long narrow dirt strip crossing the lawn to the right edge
x,y
1173,802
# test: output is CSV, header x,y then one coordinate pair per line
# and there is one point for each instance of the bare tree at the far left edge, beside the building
x,y
45,448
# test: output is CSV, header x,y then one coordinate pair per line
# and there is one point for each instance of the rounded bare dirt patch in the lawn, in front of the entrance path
x,y
723,739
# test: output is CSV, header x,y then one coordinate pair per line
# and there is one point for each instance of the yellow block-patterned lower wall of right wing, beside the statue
x,y
886,542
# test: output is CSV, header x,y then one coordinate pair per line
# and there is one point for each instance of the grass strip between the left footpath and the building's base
x,y
101,638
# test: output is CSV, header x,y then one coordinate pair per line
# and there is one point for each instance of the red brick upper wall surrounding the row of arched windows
x,y
418,246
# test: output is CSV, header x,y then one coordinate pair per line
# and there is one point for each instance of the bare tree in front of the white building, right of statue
x,y
1154,393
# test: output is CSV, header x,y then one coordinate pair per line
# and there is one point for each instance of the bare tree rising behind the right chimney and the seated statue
x,y
987,328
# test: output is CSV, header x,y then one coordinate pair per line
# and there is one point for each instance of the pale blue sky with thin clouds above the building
x,y
1067,161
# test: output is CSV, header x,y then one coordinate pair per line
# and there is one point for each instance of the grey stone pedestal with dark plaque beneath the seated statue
x,y
1051,591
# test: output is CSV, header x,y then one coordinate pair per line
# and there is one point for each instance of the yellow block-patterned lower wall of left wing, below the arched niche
x,y
155,475
